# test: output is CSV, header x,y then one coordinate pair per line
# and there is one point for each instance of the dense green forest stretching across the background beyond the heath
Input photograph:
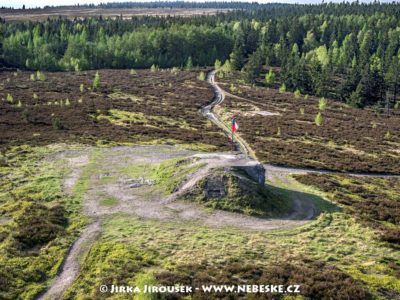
x,y
356,46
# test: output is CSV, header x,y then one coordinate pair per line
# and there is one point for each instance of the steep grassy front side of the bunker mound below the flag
x,y
233,190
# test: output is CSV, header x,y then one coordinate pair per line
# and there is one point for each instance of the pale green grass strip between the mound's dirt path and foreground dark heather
x,y
130,247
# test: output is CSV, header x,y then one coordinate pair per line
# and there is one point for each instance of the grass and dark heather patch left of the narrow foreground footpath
x,y
31,194
